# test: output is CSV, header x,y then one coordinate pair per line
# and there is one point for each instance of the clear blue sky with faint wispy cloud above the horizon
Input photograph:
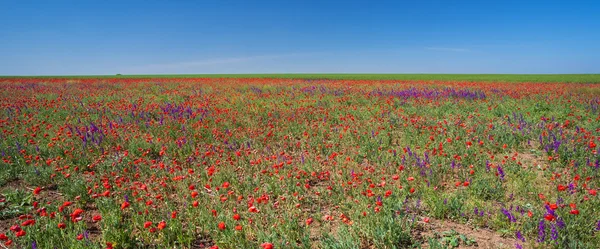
x,y
285,36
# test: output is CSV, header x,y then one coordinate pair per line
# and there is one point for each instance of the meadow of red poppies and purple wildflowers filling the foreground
x,y
298,163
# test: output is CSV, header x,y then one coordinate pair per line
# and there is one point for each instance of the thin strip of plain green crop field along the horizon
x,y
578,78
